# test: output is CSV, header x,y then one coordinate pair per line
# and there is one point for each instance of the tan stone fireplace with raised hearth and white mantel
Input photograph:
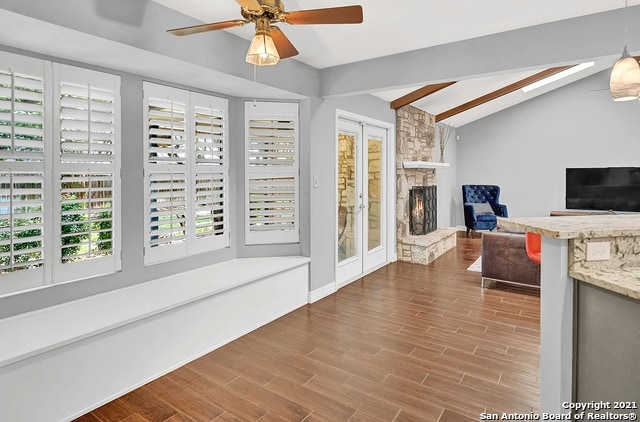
x,y
415,141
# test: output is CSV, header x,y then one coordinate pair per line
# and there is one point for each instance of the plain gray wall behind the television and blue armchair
x,y
525,149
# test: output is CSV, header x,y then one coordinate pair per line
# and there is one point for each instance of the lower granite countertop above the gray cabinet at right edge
x,y
625,281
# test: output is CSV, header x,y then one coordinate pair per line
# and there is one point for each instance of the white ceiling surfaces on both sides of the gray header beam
x,y
391,27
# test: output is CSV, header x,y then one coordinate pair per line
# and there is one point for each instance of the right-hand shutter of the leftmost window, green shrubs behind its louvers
x,y
89,172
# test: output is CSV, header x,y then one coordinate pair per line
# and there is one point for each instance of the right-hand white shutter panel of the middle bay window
x,y
210,172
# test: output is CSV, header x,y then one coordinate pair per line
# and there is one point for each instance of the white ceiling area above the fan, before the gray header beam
x,y
391,27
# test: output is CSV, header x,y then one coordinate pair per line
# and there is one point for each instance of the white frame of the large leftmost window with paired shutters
x,y
53,270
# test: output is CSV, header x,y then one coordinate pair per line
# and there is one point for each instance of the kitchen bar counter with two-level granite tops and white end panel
x,y
570,303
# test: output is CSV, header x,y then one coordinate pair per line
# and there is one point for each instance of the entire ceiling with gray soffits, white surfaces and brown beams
x,y
465,52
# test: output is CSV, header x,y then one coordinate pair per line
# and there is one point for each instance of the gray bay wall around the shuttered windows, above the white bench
x,y
133,269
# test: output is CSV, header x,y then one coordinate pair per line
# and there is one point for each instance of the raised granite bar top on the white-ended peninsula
x,y
575,227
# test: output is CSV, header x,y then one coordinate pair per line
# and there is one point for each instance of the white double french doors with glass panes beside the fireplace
x,y
361,203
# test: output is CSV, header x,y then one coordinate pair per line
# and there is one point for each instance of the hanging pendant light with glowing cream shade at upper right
x,y
624,84
